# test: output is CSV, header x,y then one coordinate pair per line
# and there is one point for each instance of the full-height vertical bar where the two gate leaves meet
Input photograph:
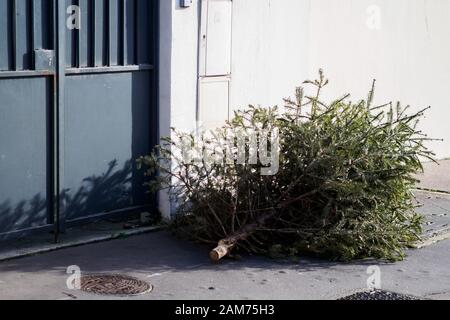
x,y
58,119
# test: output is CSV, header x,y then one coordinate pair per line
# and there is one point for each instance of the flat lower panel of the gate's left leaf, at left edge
x,y
23,153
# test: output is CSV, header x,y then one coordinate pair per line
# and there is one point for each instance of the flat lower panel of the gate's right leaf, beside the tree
x,y
107,128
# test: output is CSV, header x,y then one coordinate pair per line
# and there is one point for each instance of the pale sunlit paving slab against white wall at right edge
x,y
436,176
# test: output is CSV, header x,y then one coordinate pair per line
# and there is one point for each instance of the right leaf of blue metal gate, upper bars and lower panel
x,y
107,112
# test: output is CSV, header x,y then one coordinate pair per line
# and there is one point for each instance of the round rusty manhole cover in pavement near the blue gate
x,y
114,285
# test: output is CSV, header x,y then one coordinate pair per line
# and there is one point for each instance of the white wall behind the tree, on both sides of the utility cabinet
x,y
279,43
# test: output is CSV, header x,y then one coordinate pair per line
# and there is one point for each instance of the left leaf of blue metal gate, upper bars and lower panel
x,y
25,106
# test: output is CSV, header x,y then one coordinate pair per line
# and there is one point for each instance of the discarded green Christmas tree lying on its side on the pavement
x,y
342,188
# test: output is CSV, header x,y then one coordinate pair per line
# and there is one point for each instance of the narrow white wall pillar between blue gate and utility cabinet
x,y
177,74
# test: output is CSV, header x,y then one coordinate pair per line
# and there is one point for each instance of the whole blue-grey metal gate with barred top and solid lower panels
x,y
77,107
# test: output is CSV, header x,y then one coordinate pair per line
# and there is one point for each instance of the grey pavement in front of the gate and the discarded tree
x,y
180,270
